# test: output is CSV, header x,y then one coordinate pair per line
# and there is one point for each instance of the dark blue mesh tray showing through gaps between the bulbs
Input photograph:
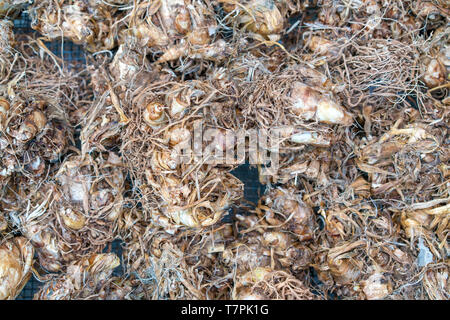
x,y
71,52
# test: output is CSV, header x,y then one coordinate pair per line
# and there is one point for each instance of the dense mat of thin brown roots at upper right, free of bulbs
x,y
381,71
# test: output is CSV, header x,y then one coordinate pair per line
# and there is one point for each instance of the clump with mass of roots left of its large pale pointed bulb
x,y
296,96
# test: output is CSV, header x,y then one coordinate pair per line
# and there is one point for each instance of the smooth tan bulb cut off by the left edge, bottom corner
x,y
16,259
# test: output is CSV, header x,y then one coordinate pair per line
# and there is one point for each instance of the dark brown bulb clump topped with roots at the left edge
x,y
36,96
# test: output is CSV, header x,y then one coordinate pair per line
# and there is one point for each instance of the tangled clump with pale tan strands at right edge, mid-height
x,y
401,163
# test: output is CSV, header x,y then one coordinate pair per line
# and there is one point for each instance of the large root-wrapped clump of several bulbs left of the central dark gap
x,y
178,190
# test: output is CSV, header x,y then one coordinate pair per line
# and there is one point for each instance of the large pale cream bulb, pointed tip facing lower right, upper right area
x,y
309,104
